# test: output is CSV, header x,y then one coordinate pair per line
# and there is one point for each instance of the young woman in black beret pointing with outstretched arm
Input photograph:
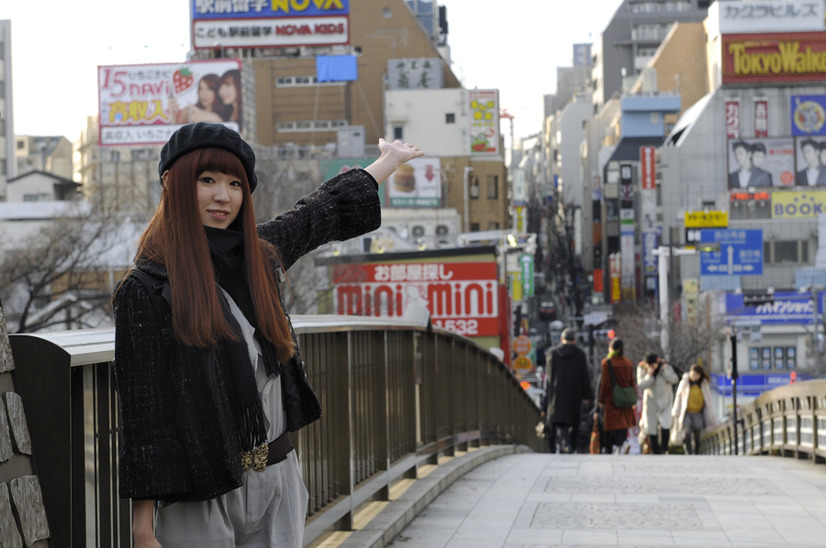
x,y
209,388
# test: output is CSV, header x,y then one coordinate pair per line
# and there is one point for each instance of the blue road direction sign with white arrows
x,y
741,252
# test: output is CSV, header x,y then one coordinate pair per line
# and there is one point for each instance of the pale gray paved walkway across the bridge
x,y
538,500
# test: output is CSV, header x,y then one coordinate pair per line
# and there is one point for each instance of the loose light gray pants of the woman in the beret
x,y
269,509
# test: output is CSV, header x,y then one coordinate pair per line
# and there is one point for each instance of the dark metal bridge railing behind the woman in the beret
x,y
394,397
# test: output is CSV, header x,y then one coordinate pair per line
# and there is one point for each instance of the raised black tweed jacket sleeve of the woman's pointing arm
x,y
343,207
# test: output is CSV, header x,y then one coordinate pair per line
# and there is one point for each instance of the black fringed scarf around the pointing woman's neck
x,y
227,252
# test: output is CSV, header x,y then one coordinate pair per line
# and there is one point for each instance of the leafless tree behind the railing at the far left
x,y
61,275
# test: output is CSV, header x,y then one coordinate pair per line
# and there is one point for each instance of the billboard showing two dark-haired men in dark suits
x,y
760,163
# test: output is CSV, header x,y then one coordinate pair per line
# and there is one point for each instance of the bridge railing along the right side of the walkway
x,y
788,421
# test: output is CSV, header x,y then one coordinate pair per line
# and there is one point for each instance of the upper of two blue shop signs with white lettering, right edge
x,y
788,307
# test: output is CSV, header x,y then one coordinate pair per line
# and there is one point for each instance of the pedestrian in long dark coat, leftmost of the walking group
x,y
567,385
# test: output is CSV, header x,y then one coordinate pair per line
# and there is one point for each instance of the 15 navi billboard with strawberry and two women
x,y
144,104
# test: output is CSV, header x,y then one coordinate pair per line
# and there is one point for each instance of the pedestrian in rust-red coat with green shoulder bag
x,y
617,421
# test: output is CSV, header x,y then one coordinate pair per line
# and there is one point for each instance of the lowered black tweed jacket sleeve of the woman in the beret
x,y
140,368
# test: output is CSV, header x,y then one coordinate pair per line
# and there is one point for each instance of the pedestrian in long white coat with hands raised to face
x,y
656,379
